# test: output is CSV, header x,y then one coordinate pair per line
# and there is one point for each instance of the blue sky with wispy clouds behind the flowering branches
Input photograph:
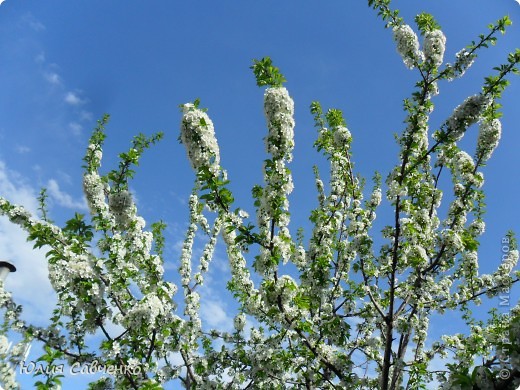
x,y
65,63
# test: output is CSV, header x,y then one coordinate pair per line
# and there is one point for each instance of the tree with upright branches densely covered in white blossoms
x,y
335,312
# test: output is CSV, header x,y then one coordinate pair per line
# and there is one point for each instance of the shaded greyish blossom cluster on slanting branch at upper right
x,y
467,114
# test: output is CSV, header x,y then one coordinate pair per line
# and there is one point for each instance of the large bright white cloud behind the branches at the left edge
x,y
30,285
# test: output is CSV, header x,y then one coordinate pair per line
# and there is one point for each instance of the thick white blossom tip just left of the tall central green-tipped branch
x,y
198,135
